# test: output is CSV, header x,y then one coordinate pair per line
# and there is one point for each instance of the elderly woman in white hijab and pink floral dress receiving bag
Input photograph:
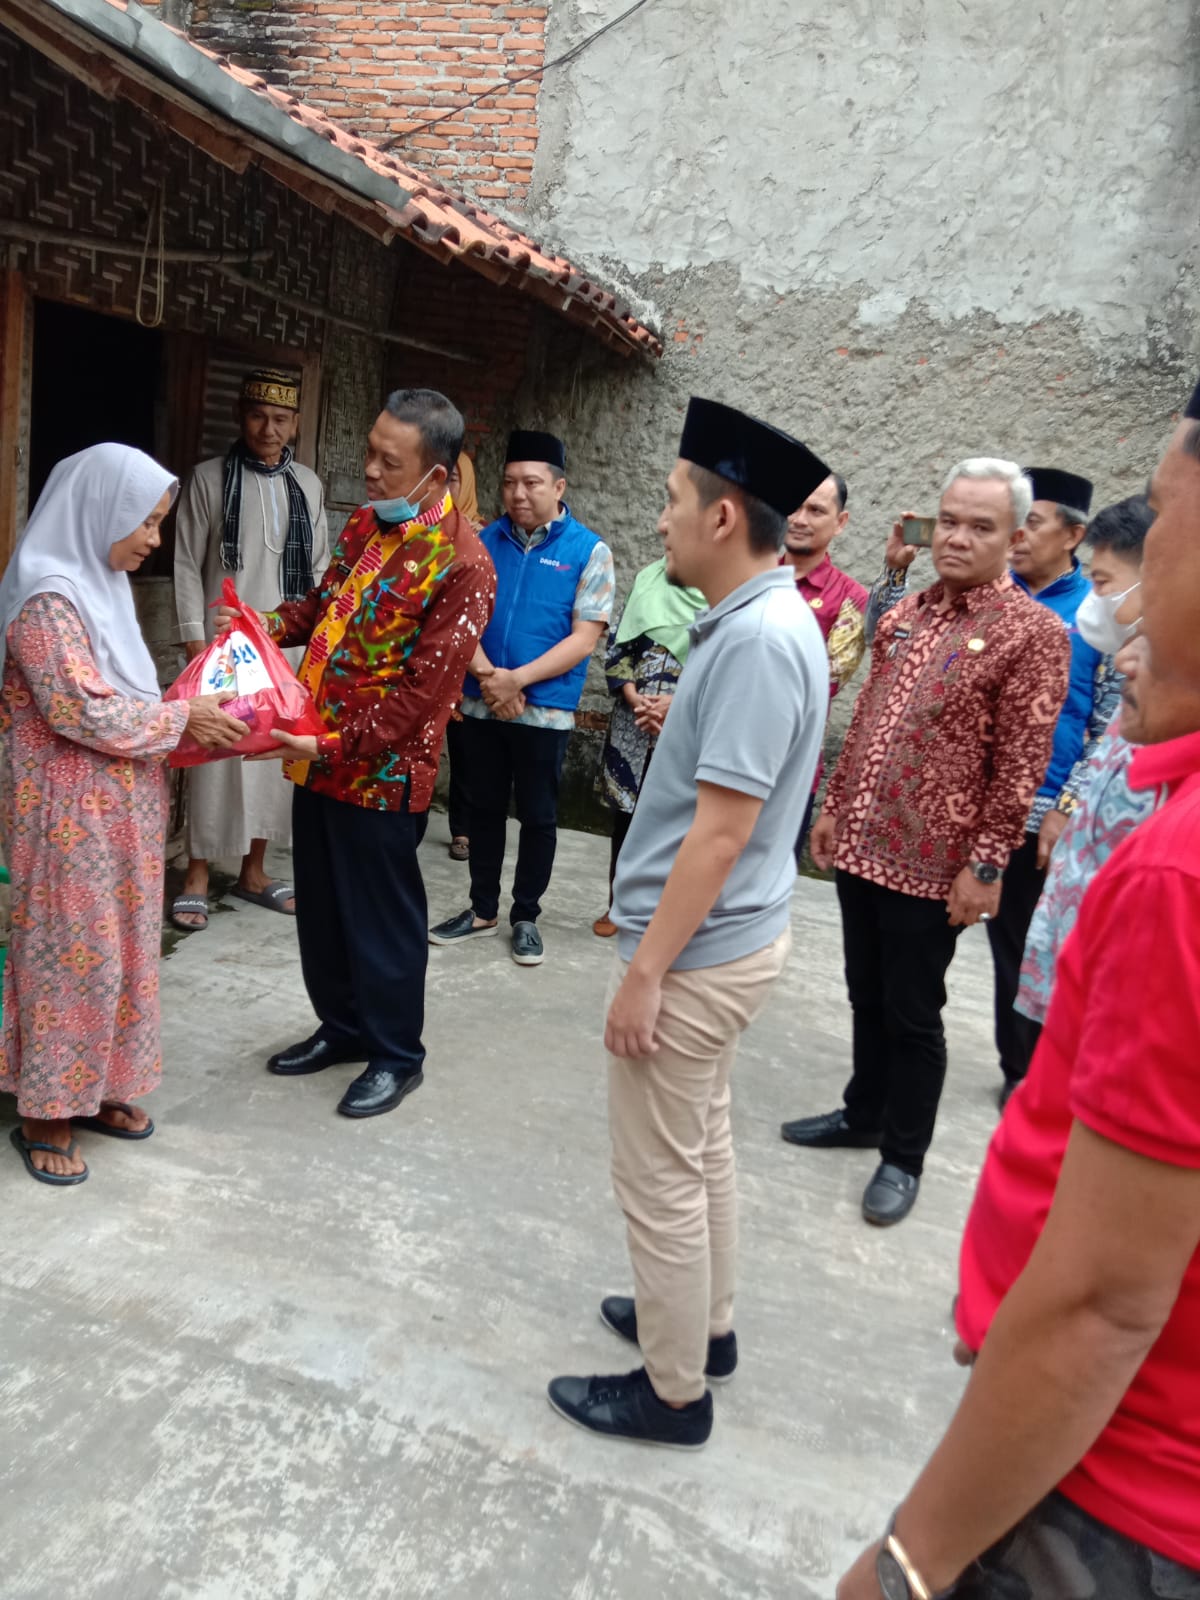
x,y
84,809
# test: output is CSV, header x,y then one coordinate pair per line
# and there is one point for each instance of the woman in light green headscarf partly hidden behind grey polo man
x,y
647,649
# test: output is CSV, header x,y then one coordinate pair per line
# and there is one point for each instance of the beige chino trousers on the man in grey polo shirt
x,y
673,1162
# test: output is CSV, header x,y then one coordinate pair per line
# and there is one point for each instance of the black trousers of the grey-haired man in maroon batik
x,y
898,951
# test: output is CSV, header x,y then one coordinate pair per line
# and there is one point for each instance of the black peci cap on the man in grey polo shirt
x,y
753,455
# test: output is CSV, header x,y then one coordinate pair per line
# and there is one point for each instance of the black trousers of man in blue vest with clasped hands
x,y
510,761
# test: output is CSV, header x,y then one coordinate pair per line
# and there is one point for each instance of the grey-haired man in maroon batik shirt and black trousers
x,y
950,742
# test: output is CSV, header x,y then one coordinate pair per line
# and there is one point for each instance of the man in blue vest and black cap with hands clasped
x,y
554,596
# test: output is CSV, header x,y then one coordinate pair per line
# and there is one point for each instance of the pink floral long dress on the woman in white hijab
x,y
84,817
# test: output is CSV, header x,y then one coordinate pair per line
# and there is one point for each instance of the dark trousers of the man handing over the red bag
x,y
362,924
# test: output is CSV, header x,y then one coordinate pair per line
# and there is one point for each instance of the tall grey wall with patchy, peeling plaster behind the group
x,y
908,238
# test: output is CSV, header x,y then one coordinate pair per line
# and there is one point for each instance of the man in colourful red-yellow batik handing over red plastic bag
x,y
390,633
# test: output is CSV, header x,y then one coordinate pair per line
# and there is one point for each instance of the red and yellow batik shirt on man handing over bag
x,y
396,674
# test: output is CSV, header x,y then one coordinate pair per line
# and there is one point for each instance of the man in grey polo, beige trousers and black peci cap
x,y
702,906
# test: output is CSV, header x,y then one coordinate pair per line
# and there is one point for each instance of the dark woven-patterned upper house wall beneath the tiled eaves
x,y
74,161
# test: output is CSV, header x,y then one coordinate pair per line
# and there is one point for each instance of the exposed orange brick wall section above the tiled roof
x,y
390,66
